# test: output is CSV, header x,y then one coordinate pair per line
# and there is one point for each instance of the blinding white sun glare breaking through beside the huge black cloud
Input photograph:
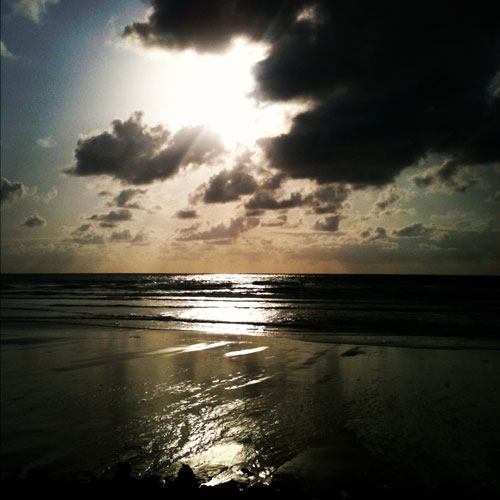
x,y
214,90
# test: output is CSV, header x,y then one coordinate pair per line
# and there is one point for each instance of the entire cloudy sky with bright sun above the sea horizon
x,y
250,136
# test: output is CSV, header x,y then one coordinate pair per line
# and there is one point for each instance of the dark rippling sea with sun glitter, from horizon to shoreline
x,y
329,308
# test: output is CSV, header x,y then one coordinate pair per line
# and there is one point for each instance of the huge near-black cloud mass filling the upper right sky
x,y
389,82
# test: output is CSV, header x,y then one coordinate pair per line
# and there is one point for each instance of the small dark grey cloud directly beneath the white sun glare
x,y
226,186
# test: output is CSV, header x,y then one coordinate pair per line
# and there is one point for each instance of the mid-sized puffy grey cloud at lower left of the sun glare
x,y
135,153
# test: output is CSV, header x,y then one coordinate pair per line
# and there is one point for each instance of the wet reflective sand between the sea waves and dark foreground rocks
x,y
77,400
